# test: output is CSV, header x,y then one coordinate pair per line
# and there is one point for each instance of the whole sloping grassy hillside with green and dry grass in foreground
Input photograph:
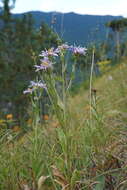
x,y
89,154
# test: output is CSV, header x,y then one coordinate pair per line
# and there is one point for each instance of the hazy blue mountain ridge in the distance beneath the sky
x,y
80,29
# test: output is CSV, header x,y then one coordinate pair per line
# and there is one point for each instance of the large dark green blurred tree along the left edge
x,y
18,40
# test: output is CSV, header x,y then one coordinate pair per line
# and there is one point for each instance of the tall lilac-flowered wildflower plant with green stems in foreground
x,y
56,83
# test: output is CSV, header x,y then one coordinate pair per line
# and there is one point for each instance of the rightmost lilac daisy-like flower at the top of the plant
x,y
78,50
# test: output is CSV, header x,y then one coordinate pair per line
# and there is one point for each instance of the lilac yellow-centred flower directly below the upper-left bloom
x,y
45,64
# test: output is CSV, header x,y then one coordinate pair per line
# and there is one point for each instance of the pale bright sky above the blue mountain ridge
x,y
98,7
